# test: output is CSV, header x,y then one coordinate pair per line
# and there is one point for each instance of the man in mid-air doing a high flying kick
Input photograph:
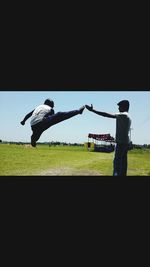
x,y
43,117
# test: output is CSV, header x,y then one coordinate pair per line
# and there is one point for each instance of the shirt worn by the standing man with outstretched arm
x,y
123,124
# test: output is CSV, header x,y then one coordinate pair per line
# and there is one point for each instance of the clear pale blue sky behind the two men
x,y
14,105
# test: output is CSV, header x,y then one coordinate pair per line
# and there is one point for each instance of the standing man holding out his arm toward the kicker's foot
x,y
123,124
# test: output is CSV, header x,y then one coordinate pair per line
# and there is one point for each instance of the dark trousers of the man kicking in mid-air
x,y
49,121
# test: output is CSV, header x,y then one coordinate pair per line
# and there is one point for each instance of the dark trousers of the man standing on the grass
x,y
120,160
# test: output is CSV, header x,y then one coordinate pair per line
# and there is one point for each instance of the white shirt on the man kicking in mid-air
x,y
39,114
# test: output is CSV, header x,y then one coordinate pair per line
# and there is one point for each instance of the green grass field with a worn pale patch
x,y
22,160
